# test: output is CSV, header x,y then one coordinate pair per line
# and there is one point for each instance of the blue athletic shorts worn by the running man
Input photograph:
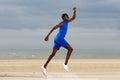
x,y
60,42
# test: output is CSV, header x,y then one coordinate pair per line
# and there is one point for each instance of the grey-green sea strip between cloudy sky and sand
x,y
61,54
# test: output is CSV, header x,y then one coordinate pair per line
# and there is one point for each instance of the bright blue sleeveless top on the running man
x,y
62,31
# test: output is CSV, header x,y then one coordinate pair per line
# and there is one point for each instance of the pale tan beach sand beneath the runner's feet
x,y
80,69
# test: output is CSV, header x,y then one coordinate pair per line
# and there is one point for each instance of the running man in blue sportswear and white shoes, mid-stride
x,y
59,40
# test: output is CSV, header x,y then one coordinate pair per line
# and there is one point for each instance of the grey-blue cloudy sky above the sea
x,y
25,23
